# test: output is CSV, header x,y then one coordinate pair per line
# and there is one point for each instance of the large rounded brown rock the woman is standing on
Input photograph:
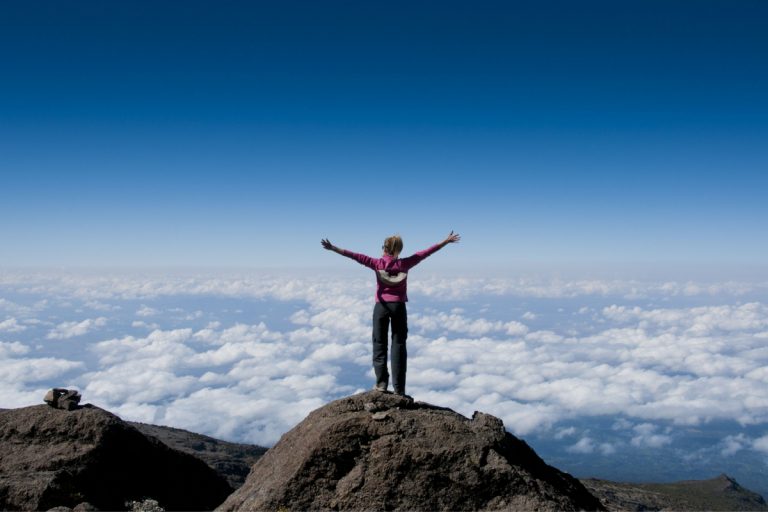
x,y
376,451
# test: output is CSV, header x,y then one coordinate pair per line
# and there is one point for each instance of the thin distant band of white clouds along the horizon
x,y
105,286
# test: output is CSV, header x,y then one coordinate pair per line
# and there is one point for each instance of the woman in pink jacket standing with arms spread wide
x,y
391,296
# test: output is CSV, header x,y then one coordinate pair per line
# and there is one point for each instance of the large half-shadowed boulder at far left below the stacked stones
x,y
52,457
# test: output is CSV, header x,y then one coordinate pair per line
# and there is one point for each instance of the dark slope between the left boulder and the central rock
x,y
231,460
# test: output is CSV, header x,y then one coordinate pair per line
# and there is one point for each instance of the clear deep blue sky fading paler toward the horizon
x,y
240,133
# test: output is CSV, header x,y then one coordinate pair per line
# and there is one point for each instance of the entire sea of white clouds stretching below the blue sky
x,y
599,367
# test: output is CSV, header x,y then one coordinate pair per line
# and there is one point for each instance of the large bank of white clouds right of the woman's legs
x,y
663,374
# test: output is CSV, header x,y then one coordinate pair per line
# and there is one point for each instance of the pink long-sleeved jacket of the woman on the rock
x,y
391,273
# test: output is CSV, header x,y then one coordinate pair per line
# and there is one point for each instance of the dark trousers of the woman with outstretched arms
x,y
383,313
